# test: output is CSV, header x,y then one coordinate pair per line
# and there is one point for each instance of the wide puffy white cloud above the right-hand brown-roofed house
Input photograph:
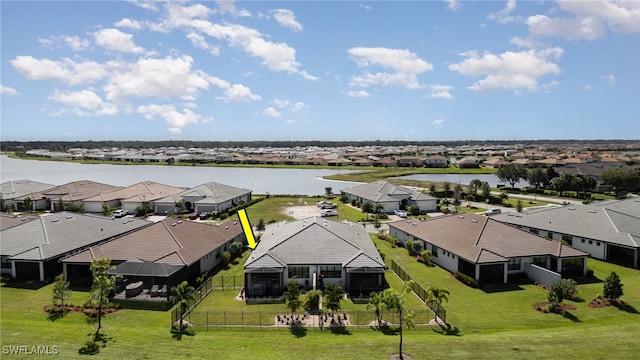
x,y
509,70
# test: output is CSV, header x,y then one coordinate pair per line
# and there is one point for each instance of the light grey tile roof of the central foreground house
x,y
315,241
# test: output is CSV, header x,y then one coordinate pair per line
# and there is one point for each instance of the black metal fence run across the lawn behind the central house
x,y
242,320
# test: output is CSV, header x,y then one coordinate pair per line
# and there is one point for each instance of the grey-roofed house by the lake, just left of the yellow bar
x,y
204,198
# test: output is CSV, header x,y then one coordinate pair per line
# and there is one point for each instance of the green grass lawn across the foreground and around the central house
x,y
491,323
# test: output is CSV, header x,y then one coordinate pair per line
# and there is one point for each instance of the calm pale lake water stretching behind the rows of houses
x,y
259,180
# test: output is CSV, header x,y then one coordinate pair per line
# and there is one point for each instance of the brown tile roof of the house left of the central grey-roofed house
x,y
171,241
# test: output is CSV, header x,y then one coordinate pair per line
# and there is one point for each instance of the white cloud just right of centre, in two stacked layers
x,y
406,66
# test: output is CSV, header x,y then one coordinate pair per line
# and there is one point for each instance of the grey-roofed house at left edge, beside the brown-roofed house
x,y
31,250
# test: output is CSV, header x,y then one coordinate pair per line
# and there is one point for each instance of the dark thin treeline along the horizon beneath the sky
x,y
136,144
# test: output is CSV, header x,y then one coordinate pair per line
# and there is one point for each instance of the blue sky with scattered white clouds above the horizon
x,y
323,70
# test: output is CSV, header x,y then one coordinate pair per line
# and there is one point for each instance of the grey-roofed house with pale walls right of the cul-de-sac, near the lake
x,y
391,197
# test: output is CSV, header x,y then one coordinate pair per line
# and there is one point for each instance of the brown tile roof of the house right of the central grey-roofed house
x,y
480,239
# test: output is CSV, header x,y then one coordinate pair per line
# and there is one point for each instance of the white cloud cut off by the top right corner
x,y
588,20
